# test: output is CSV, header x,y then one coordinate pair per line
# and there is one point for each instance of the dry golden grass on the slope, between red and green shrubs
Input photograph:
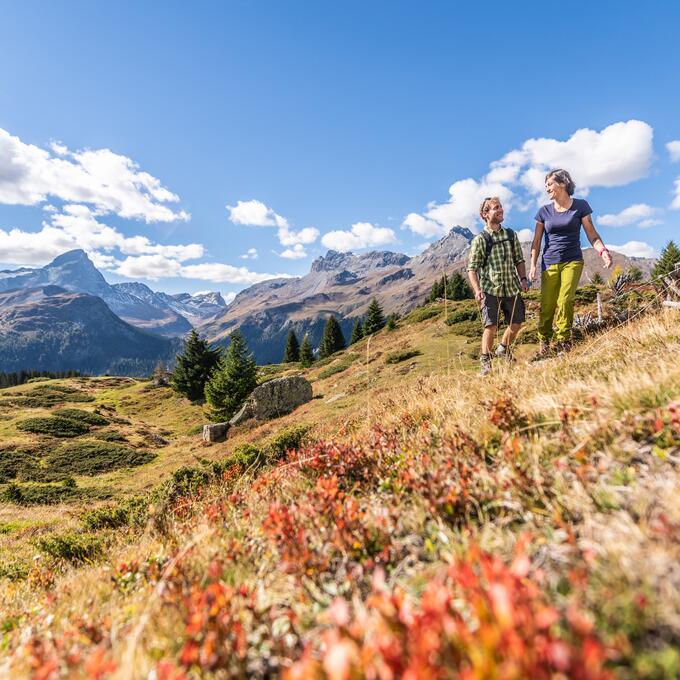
x,y
615,512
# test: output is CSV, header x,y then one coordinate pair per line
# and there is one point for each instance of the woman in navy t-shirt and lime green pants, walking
x,y
559,223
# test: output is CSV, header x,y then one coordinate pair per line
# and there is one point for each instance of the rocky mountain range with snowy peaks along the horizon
x,y
67,312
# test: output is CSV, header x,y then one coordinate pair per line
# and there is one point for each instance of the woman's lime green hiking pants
x,y
558,290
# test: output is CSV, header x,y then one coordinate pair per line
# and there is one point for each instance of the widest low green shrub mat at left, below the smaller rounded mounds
x,y
95,457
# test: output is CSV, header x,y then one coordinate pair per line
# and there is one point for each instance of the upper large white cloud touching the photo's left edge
x,y
110,182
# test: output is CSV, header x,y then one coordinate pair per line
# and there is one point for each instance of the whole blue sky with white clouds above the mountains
x,y
207,145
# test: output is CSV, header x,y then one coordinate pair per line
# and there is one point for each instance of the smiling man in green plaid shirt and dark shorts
x,y
497,275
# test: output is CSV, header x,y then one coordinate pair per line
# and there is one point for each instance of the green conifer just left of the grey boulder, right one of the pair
x,y
233,380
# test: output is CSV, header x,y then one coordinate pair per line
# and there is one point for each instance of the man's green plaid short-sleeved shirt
x,y
499,275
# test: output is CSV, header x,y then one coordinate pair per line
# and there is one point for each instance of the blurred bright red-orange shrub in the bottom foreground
x,y
481,619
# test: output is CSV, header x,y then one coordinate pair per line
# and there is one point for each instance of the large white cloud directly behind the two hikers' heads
x,y
619,154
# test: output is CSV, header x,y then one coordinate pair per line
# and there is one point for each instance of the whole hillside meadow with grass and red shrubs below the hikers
x,y
410,521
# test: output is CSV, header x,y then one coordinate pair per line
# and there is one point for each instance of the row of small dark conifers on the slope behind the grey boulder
x,y
333,339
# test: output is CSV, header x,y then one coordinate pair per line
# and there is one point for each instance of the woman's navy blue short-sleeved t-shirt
x,y
562,232
